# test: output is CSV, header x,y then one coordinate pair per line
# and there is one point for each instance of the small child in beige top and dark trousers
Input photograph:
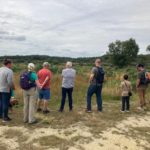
x,y
126,94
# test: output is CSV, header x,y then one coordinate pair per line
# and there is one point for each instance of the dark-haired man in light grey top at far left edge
x,y
6,85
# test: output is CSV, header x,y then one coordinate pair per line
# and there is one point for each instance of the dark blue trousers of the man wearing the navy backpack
x,y
94,89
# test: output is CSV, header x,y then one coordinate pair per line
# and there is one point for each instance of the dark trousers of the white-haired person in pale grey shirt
x,y
65,92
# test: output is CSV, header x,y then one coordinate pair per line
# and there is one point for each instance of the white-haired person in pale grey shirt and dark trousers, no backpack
x,y
68,75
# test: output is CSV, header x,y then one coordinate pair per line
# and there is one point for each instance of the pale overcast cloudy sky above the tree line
x,y
72,28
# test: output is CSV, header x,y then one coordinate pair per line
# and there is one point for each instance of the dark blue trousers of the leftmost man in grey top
x,y
4,104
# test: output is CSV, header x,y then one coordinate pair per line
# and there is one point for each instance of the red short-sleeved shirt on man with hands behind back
x,y
42,75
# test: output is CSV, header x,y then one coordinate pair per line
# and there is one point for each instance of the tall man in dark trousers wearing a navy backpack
x,y
95,87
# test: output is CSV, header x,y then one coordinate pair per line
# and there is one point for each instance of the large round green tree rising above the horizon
x,y
122,53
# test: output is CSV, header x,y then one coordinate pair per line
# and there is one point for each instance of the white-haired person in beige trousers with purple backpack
x,y
29,83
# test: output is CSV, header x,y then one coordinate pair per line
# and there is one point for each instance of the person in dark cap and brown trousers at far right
x,y
141,85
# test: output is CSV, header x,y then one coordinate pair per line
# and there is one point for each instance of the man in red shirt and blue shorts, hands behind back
x,y
44,77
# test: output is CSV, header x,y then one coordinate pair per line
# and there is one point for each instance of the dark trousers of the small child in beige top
x,y
125,103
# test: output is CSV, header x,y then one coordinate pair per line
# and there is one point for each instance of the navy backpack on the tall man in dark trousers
x,y
99,76
